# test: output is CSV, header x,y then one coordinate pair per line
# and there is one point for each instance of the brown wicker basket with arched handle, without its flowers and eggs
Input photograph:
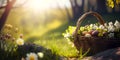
x,y
96,44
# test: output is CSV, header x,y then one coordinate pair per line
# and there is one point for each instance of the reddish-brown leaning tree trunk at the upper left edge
x,y
6,13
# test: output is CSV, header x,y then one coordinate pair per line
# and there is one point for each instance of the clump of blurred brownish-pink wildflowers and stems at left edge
x,y
8,46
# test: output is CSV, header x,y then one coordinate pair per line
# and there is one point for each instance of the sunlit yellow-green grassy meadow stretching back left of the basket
x,y
48,35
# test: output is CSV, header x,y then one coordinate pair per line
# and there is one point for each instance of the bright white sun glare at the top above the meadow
x,y
42,5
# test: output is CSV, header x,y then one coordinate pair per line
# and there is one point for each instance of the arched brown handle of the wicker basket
x,y
98,16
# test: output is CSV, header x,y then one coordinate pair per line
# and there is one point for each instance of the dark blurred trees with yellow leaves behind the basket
x,y
81,6
